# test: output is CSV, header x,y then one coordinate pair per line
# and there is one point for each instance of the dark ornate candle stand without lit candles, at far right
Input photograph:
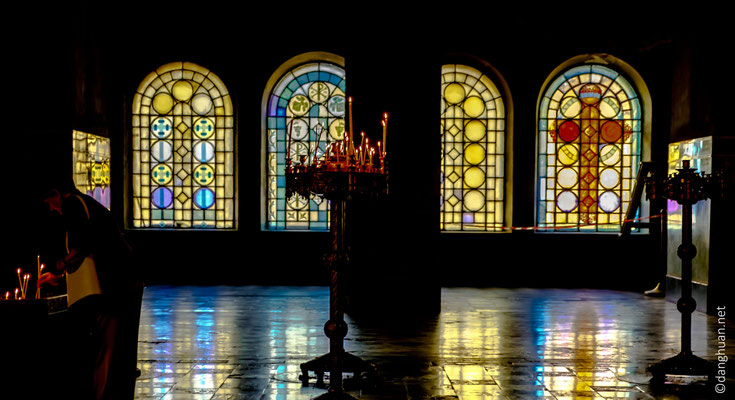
x,y
686,188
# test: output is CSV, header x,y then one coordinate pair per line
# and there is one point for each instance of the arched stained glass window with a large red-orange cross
x,y
589,148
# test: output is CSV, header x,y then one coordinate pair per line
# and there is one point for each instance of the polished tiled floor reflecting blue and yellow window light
x,y
247,342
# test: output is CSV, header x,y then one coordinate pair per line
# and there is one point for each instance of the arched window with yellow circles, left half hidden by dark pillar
x,y
473,151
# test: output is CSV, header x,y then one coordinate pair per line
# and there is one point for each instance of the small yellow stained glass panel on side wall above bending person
x,y
91,165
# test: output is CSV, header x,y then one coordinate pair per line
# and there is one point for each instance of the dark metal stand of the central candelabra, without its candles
x,y
339,184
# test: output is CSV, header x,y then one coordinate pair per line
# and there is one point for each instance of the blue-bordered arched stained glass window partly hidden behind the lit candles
x,y
307,107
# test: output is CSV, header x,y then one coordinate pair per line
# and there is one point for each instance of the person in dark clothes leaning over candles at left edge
x,y
104,291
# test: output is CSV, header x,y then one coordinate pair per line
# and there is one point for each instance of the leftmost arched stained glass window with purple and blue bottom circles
x,y
183,150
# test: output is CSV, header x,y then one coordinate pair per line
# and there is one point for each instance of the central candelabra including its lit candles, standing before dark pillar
x,y
343,173
